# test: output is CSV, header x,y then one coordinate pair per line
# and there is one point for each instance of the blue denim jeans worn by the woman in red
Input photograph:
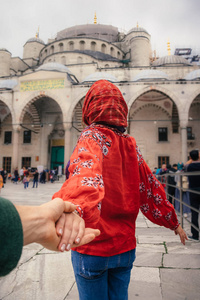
x,y
103,278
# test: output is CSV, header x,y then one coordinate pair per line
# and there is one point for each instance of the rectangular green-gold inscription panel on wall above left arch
x,y
38,85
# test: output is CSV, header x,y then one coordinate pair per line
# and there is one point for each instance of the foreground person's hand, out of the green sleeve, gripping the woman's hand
x,y
39,223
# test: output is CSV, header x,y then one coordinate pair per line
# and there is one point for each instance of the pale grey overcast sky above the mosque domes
x,y
176,20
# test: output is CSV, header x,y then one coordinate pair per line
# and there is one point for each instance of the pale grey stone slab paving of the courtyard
x,y
164,269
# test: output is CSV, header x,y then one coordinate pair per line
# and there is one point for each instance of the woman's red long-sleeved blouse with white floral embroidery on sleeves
x,y
110,181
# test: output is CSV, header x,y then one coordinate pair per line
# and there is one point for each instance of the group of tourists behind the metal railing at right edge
x,y
172,182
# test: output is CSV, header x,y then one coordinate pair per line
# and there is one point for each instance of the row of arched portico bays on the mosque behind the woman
x,y
46,135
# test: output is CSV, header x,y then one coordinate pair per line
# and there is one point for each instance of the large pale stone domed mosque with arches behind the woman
x,y
41,95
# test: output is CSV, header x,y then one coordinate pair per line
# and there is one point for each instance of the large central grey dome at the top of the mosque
x,y
106,32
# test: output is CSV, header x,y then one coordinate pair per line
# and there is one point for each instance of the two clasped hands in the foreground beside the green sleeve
x,y
55,226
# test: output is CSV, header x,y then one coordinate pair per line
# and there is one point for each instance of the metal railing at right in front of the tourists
x,y
181,185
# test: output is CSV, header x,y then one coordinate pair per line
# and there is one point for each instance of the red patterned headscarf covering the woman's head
x,y
104,103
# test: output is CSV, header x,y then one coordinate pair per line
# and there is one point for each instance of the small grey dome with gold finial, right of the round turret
x,y
171,60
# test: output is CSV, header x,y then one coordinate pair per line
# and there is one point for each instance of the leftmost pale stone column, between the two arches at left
x,y
15,141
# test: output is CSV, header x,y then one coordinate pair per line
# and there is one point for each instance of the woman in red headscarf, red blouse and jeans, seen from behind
x,y
109,182
